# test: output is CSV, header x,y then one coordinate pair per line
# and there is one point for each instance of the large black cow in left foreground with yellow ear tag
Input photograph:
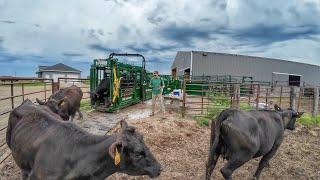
x,y
44,147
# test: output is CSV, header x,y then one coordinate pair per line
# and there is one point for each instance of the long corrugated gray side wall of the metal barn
x,y
259,68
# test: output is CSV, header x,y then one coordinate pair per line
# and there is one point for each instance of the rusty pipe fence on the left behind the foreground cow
x,y
13,91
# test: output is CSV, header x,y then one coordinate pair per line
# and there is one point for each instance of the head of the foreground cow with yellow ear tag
x,y
135,156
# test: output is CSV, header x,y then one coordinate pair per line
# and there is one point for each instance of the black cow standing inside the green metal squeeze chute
x,y
98,94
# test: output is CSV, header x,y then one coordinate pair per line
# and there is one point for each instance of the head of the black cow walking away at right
x,y
289,117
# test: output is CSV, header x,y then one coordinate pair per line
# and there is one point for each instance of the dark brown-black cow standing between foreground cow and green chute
x,y
65,102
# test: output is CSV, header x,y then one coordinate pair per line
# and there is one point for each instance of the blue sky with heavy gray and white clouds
x,y
74,32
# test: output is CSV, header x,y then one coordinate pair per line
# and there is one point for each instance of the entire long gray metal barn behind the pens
x,y
199,63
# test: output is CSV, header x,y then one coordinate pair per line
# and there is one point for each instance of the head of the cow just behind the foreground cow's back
x,y
59,107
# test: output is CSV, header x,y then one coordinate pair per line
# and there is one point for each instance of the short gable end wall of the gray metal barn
x,y
182,61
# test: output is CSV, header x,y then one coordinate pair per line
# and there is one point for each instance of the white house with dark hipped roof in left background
x,y
58,71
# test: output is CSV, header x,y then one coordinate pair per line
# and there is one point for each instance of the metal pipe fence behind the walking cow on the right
x,y
203,98
